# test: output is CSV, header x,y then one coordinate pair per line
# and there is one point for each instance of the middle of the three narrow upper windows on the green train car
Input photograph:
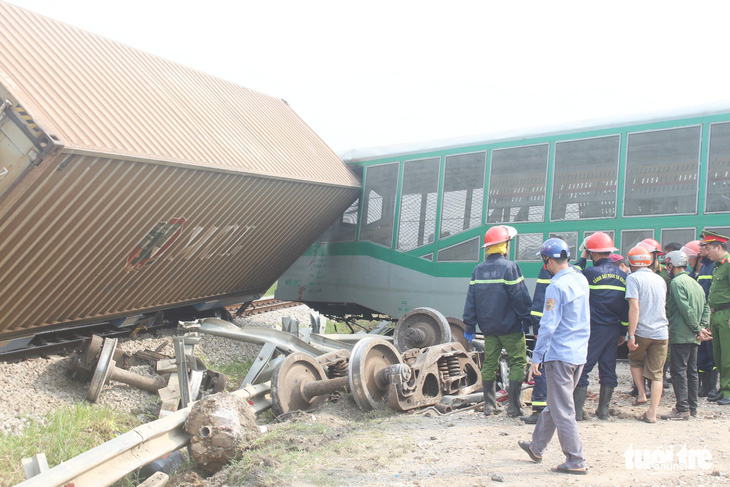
x,y
419,196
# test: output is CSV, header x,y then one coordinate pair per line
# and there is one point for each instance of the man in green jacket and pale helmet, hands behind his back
x,y
688,316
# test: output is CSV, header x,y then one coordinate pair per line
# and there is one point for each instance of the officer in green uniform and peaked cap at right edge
x,y
719,301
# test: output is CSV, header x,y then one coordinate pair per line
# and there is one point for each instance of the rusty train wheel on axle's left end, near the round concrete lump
x,y
288,380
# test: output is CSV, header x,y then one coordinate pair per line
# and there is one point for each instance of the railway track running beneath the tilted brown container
x,y
70,339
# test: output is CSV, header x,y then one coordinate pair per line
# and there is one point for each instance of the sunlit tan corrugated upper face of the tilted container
x,y
99,97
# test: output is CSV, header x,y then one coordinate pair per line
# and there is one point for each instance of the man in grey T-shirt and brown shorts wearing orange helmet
x,y
648,335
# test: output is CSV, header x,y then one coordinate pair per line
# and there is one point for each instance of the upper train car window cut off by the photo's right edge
x,y
718,169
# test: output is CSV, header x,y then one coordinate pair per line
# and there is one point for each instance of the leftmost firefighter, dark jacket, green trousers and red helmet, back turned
x,y
499,303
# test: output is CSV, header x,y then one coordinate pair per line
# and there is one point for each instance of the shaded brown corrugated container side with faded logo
x,y
74,249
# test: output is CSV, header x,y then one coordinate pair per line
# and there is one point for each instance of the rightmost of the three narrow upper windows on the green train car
x,y
463,199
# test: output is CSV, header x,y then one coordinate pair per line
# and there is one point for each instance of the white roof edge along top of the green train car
x,y
377,152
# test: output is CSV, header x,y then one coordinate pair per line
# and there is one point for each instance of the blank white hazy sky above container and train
x,y
383,72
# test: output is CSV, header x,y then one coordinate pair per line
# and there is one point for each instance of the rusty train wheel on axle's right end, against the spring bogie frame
x,y
369,357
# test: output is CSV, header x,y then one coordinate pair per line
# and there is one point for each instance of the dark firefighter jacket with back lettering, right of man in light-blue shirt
x,y
607,283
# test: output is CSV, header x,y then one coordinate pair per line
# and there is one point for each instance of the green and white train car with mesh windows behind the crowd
x,y
414,235
